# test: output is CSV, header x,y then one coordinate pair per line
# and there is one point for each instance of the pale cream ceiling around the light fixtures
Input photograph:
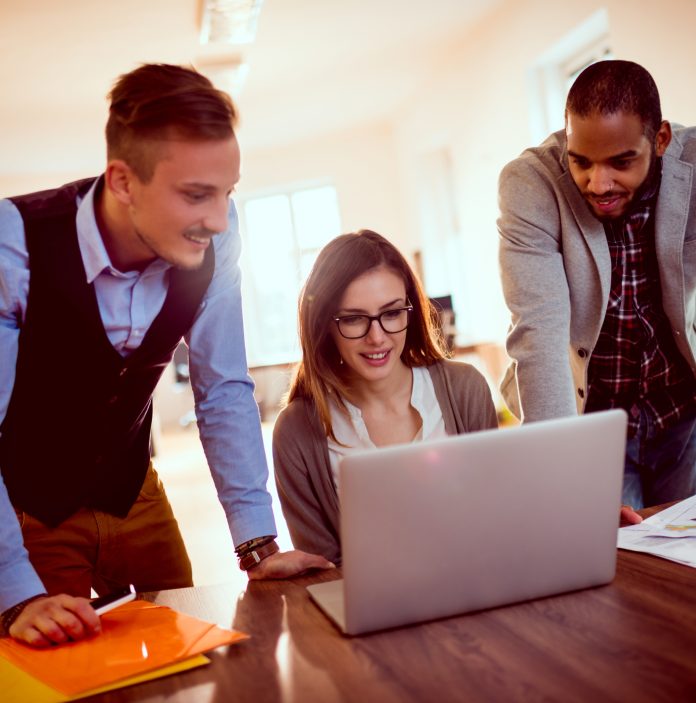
x,y
316,66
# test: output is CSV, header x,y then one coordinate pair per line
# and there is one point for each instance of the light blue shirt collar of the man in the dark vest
x,y
95,257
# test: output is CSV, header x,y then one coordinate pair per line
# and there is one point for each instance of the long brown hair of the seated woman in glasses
x,y
319,374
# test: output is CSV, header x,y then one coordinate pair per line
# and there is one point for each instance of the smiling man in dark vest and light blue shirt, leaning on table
x,y
99,281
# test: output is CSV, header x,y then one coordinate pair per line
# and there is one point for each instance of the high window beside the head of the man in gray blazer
x,y
555,70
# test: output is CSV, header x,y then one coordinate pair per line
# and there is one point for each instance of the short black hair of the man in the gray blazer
x,y
608,87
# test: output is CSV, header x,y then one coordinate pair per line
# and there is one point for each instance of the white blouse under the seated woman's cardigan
x,y
352,433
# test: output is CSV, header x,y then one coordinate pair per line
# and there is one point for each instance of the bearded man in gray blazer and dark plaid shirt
x,y
598,263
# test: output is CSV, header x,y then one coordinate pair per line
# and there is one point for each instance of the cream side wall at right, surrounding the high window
x,y
479,105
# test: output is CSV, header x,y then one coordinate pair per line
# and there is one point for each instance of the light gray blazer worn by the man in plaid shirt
x,y
556,272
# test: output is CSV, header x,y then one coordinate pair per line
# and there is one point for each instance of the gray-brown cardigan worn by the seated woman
x,y
301,456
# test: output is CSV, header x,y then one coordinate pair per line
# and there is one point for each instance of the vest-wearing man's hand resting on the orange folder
x,y
55,620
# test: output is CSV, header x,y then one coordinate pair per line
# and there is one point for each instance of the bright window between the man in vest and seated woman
x,y
282,234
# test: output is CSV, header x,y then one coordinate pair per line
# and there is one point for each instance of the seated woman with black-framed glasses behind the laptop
x,y
373,373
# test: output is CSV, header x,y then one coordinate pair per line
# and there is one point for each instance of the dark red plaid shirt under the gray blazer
x,y
635,364
